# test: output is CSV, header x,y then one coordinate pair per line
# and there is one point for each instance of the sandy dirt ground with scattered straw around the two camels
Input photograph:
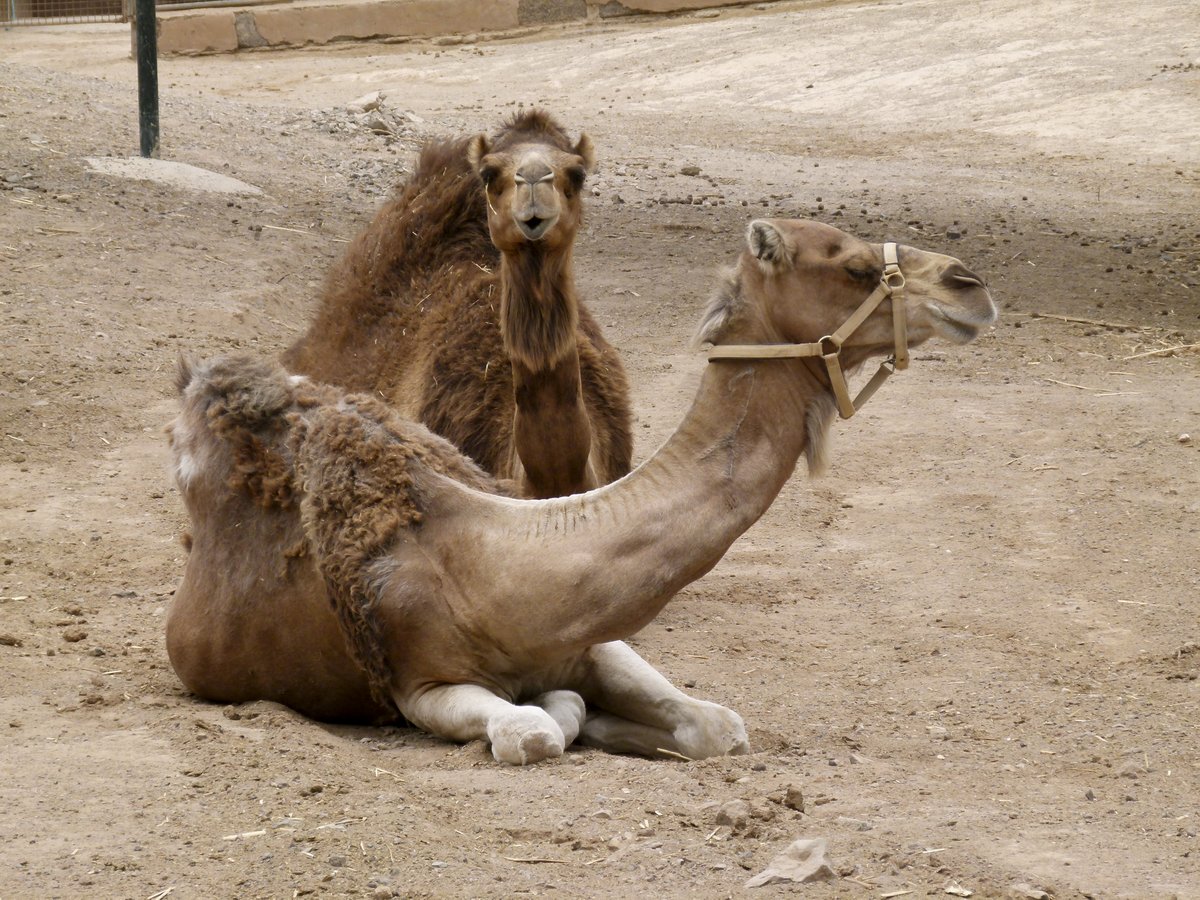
x,y
968,657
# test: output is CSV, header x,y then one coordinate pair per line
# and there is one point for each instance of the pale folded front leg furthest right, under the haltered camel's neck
x,y
634,710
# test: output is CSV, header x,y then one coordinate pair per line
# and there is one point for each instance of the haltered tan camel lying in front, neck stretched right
x,y
477,616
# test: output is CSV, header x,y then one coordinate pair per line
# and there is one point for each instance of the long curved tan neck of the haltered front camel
x,y
622,553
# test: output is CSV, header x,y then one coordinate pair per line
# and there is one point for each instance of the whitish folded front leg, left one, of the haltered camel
x,y
519,735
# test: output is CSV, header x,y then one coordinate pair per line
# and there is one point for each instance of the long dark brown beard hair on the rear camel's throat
x,y
538,328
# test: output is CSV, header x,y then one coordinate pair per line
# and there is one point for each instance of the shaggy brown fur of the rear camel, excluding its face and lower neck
x,y
412,314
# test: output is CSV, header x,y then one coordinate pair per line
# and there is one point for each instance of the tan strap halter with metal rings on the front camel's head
x,y
829,349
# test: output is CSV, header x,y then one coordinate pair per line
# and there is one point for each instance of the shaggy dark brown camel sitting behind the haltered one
x,y
483,340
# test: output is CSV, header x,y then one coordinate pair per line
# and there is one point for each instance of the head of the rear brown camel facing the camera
x,y
535,178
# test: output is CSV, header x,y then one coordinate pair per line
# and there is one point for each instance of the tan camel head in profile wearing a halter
x,y
799,281
